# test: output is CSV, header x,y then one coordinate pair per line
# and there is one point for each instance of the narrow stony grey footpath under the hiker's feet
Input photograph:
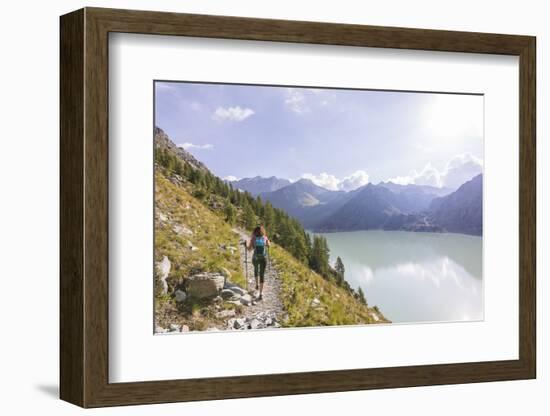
x,y
257,314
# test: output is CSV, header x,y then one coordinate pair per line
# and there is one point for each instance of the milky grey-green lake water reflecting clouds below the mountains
x,y
413,276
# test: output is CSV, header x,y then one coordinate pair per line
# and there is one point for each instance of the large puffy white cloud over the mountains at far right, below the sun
x,y
459,169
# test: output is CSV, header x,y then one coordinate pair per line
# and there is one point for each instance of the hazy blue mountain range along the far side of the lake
x,y
386,206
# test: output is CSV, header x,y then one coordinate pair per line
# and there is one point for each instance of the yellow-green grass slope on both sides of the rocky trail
x,y
192,235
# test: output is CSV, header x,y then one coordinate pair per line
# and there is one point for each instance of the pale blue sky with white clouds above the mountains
x,y
339,138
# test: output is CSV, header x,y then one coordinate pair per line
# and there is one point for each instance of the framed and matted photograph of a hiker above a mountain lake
x,y
254,207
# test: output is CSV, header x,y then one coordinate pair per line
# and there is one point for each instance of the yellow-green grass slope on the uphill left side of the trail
x,y
192,237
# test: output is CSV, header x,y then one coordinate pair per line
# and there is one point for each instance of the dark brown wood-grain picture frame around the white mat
x,y
84,207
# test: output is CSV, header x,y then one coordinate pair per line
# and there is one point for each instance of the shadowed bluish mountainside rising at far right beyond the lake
x,y
461,211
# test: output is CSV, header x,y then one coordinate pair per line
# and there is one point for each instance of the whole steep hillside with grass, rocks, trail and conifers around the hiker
x,y
199,222
